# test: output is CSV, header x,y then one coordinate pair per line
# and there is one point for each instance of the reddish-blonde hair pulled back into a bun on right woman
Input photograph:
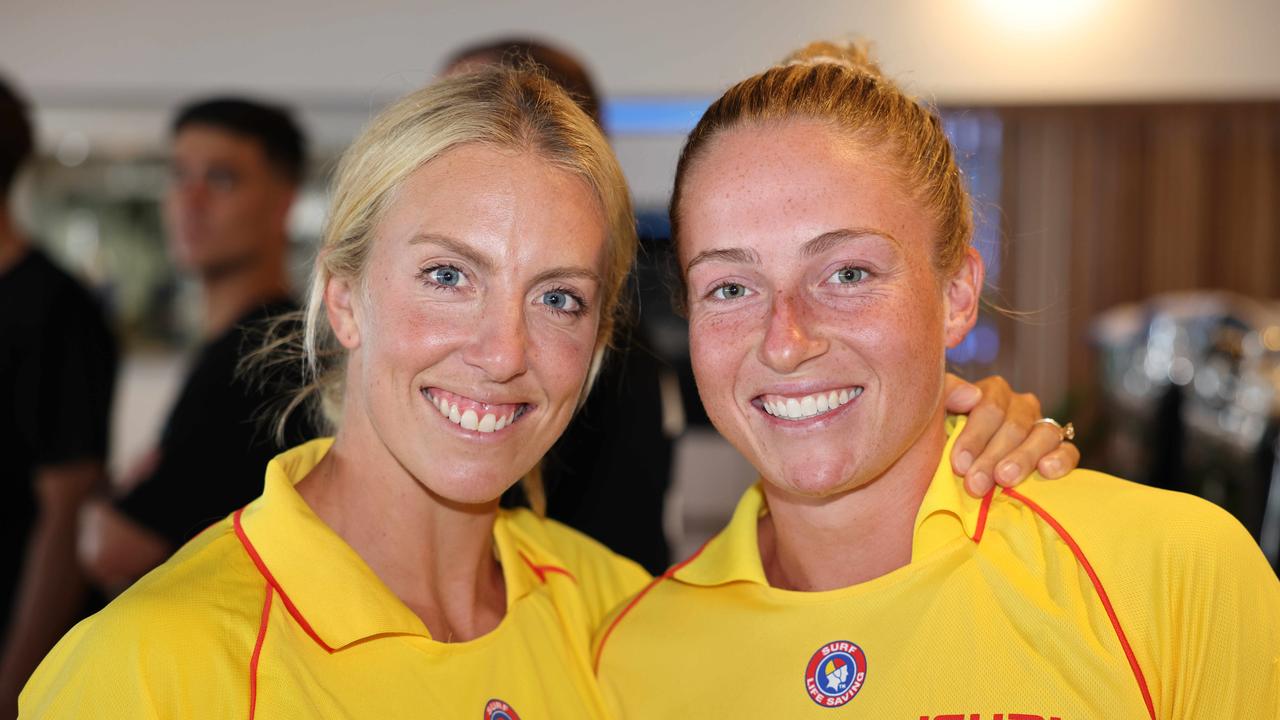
x,y
839,84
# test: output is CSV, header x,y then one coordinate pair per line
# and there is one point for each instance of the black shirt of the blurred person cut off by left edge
x,y
57,376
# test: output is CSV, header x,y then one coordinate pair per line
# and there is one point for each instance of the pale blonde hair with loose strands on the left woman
x,y
508,108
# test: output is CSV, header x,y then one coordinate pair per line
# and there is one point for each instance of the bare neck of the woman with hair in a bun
x,y
863,534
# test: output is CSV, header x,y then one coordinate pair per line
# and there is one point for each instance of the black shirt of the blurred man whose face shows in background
x,y
218,439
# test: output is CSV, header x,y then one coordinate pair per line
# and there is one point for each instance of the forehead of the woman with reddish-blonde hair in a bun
x,y
790,183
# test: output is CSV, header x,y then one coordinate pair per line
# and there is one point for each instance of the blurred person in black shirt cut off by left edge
x,y
57,376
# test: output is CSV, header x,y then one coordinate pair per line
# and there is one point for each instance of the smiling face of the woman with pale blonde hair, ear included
x,y
474,329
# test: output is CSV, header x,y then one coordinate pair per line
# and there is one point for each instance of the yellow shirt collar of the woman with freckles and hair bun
x,y
947,513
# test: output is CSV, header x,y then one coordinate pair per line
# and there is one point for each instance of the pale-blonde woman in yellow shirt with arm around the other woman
x,y
478,243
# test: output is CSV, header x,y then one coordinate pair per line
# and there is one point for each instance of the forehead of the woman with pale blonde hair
x,y
510,202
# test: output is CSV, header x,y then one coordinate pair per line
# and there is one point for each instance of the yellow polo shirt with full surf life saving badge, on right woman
x,y
1073,599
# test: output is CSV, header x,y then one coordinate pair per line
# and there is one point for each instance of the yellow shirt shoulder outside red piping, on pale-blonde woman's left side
x,y
182,631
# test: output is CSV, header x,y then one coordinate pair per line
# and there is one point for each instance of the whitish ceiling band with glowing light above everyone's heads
x,y
115,70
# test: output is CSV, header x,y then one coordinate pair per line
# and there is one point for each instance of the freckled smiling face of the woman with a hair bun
x,y
819,323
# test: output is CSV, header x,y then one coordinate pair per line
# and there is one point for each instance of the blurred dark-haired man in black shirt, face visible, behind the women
x,y
237,166
